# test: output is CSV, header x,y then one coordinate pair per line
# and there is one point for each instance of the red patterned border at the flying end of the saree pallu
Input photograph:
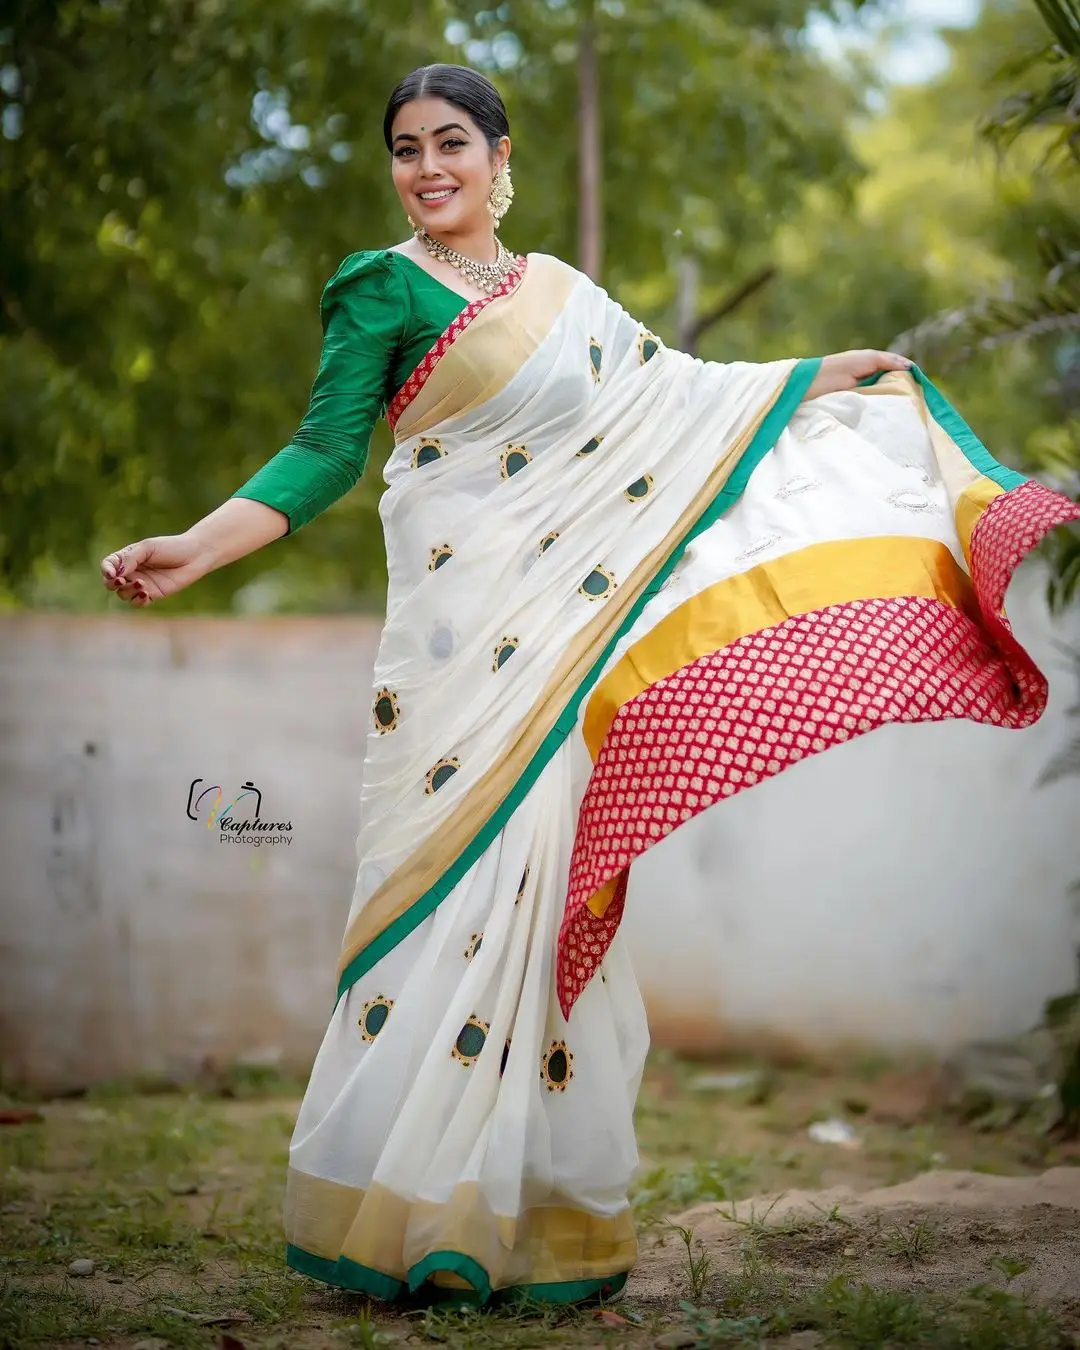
x,y
745,713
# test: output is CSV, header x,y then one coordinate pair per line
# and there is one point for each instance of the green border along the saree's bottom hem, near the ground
x,y
361,1279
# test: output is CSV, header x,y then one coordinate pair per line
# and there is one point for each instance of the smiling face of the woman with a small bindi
x,y
443,167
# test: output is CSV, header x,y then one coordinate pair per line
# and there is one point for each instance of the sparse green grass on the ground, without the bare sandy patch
x,y
178,1198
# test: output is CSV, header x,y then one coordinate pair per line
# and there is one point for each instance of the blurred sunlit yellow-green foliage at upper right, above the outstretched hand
x,y
940,225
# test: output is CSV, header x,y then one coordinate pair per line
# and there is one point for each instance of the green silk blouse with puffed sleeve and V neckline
x,y
381,315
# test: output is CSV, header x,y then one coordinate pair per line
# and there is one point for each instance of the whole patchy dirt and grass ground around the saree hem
x,y
913,1229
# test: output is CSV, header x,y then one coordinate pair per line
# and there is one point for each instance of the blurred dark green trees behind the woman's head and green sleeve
x,y
179,180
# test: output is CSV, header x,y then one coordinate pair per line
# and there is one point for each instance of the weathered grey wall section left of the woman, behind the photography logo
x,y
132,940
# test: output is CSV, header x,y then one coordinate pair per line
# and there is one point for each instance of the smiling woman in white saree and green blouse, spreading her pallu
x,y
623,585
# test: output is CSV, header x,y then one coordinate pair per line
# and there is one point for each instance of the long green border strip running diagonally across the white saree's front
x,y
766,437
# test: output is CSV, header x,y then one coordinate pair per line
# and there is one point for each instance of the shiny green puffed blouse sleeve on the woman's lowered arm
x,y
364,317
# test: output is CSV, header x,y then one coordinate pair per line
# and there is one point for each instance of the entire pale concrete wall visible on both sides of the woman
x,y
908,889
